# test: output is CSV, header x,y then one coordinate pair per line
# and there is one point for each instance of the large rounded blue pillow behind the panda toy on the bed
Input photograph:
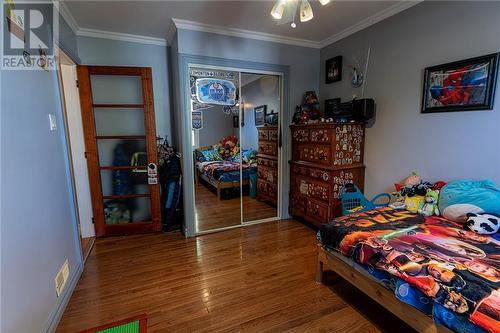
x,y
461,197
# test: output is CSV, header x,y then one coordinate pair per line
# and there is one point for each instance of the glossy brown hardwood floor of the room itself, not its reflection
x,y
254,279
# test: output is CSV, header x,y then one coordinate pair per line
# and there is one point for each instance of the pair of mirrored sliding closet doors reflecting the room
x,y
236,146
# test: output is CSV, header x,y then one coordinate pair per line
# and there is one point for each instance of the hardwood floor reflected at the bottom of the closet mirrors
x,y
212,213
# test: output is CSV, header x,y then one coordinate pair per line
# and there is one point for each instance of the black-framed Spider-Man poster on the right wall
x,y
461,85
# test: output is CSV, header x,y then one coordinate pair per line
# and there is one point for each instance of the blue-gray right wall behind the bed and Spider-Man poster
x,y
441,145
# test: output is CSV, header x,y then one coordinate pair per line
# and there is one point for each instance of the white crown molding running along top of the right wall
x,y
369,21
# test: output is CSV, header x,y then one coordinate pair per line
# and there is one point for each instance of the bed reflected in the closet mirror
x,y
221,174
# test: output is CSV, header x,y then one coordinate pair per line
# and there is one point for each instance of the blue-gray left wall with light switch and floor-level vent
x,y
38,225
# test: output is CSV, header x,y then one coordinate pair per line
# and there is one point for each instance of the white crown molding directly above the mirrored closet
x,y
249,34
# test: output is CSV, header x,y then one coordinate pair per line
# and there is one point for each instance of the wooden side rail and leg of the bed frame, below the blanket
x,y
362,280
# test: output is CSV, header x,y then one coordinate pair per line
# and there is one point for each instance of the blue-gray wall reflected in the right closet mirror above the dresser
x,y
264,91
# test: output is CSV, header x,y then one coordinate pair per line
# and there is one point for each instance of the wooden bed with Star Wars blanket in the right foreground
x,y
428,271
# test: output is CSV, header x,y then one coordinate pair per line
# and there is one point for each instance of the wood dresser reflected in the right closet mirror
x,y
267,164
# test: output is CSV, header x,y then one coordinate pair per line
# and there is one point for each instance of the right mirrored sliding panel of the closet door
x,y
260,96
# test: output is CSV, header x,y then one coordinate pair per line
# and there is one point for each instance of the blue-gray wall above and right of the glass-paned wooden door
x,y
98,51
